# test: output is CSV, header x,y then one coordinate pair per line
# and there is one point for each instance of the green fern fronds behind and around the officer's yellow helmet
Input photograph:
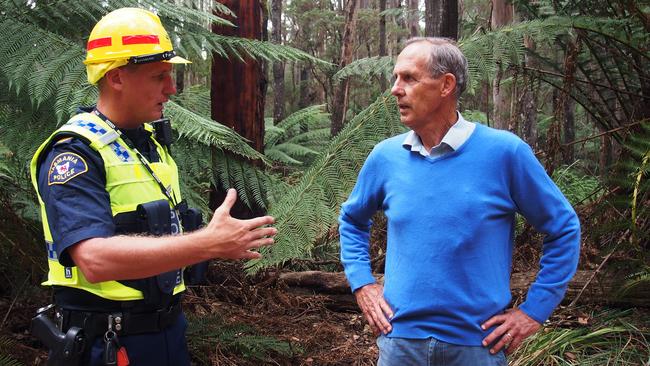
x,y
45,56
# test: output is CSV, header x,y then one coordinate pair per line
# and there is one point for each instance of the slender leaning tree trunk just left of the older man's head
x,y
340,102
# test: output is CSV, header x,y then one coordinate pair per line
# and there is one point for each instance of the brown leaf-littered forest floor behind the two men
x,y
240,320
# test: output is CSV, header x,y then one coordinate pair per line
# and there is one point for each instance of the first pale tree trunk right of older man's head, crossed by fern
x,y
501,15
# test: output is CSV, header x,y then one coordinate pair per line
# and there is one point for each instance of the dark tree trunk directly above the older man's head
x,y
441,18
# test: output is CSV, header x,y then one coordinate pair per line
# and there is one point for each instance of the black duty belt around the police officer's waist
x,y
123,322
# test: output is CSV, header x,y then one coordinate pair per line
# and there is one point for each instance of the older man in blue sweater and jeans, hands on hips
x,y
450,190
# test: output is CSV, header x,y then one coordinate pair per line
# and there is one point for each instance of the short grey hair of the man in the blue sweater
x,y
445,57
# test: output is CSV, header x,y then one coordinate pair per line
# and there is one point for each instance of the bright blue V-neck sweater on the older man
x,y
451,223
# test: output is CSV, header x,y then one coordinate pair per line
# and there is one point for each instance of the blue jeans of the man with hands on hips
x,y
432,352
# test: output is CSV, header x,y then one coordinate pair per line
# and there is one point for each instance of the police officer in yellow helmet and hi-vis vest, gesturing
x,y
112,209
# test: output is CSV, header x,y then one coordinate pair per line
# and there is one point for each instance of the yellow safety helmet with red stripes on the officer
x,y
127,35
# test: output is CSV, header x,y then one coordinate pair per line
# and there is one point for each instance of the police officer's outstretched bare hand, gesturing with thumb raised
x,y
232,238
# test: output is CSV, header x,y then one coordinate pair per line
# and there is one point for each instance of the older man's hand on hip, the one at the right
x,y
515,326
